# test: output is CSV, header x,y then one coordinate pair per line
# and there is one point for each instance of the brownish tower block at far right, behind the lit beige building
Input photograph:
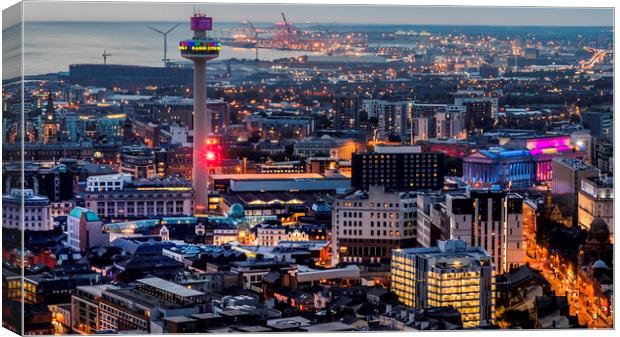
x,y
567,174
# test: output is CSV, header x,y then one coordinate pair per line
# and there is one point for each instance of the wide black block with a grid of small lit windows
x,y
399,170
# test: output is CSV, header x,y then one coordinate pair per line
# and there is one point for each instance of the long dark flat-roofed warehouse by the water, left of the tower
x,y
108,75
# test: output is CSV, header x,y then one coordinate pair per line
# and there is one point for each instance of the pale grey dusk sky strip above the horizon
x,y
342,14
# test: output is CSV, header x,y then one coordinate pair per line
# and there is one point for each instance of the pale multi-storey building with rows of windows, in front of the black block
x,y
368,225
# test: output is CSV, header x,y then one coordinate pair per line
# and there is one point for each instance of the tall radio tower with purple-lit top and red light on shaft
x,y
200,49
